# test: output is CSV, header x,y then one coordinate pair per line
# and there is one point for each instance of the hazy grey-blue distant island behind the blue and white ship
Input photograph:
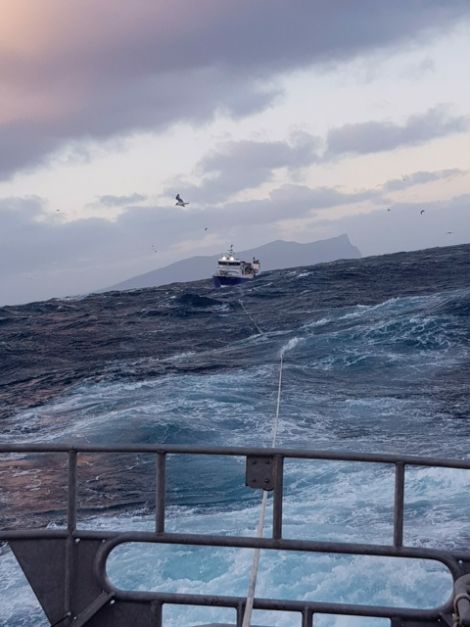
x,y
275,255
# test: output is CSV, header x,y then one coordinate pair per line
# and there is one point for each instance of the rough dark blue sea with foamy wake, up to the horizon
x,y
376,359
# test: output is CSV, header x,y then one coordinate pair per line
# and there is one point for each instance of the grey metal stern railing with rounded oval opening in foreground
x,y
90,598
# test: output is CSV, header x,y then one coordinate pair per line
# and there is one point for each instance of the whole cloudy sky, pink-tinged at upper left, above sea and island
x,y
298,120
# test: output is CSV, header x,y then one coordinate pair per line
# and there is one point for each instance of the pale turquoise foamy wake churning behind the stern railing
x,y
363,403
